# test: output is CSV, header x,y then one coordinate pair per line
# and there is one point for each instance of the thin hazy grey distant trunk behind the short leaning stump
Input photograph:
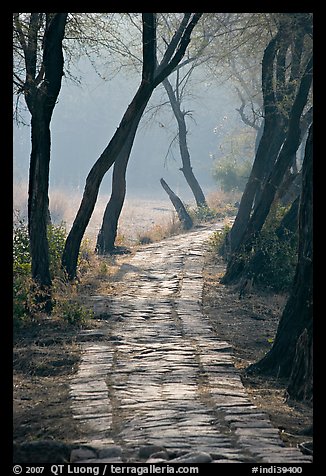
x,y
186,168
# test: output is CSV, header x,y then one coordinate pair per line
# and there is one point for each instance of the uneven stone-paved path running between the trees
x,y
160,385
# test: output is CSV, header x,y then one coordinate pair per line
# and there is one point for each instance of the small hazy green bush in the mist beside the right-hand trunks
x,y
232,175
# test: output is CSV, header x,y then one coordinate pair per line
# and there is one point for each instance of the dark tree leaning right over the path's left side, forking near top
x,y
119,147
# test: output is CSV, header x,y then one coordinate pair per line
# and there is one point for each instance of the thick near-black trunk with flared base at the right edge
x,y
291,353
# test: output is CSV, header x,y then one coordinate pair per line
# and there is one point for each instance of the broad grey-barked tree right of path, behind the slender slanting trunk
x,y
279,89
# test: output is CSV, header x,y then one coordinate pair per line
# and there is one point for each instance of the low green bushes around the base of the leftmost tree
x,y
27,296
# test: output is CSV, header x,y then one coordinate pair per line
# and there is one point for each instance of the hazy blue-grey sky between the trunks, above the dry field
x,y
86,117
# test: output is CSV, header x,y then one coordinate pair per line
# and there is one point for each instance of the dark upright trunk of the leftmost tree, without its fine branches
x,y
41,101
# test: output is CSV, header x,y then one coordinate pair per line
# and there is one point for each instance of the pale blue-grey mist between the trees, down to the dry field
x,y
87,115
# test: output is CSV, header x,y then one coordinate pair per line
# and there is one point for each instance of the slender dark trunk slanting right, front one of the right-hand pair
x,y
289,148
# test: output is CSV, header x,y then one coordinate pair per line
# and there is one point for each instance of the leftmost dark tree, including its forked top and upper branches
x,y
40,37
